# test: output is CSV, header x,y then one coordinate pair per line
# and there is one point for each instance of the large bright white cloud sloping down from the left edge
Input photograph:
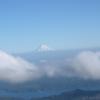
x,y
15,69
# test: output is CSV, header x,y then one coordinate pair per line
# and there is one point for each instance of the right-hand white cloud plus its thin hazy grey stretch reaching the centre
x,y
85,65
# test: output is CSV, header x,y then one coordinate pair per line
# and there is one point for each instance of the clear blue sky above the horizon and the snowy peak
x,y
62,24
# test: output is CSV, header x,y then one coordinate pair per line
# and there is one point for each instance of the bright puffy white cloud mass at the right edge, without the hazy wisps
x,y
87,65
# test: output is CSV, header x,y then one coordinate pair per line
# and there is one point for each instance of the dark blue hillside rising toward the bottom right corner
x,y
75,95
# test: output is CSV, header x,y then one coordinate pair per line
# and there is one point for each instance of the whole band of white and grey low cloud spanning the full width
x,y
84,65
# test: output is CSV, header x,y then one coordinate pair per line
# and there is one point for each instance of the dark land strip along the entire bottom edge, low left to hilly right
x,y
72,95
